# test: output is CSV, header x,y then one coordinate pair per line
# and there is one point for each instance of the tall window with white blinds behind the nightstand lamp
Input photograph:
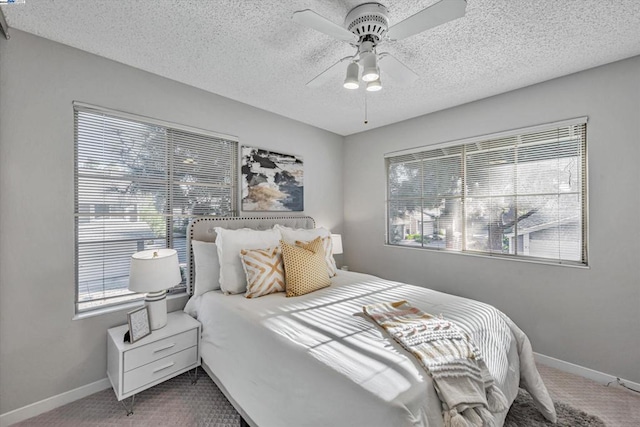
x,y
138,183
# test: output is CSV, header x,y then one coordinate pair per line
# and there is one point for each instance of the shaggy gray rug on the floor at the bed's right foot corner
x,y
523,413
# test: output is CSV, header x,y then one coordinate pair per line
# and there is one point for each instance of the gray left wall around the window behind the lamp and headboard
x,y
44,352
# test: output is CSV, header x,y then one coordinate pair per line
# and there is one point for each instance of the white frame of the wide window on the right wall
x,y
456,145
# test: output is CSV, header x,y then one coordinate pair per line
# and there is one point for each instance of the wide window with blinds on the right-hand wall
x,y
517,194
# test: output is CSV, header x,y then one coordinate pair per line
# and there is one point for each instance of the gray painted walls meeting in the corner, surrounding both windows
x,y
586,316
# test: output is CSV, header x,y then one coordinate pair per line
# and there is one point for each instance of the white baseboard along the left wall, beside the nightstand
x,y
53,402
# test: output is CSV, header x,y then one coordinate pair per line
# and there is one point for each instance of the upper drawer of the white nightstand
x,y
159,349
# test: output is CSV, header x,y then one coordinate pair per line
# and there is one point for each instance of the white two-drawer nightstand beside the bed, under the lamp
x,y
165,353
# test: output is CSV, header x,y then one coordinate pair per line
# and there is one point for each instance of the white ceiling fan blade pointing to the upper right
x,y
437,14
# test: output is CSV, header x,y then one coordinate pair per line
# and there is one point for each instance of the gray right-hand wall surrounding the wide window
x,y
590,317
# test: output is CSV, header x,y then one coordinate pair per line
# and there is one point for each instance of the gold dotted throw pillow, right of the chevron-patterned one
x,y
305,267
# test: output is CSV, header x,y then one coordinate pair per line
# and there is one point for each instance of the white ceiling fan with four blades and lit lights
x,y
366,27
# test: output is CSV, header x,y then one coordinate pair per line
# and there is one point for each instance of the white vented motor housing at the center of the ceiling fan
x,y
368,22
